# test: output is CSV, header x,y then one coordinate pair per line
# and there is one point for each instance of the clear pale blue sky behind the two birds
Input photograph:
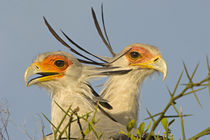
x,y
180,29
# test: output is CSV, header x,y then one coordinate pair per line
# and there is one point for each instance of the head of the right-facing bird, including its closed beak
x,y
144,57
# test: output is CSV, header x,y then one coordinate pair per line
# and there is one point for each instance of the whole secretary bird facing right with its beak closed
x,y
123,91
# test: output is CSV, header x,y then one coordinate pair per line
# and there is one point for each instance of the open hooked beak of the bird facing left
x,y
44,74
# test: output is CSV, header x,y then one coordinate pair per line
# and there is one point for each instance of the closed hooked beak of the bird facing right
x,y
158,63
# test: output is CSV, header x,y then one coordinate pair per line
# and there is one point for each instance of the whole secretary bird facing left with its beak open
x,y
66,79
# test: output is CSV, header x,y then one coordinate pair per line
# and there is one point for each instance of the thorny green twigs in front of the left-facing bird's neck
x,y
73,116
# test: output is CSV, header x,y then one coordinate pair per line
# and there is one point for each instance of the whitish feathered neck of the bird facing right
x,y
122,92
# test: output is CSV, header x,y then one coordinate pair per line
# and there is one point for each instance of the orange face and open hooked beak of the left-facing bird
x,y
51,68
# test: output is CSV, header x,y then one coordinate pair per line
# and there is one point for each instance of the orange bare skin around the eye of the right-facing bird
x,y
145,55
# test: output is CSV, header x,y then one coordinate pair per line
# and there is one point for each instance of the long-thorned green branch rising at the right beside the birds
x,y
189,88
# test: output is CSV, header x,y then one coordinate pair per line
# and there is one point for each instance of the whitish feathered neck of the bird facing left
x,y
70,90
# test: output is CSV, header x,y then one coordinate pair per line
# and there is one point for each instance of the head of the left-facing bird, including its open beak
x,y
52,69
